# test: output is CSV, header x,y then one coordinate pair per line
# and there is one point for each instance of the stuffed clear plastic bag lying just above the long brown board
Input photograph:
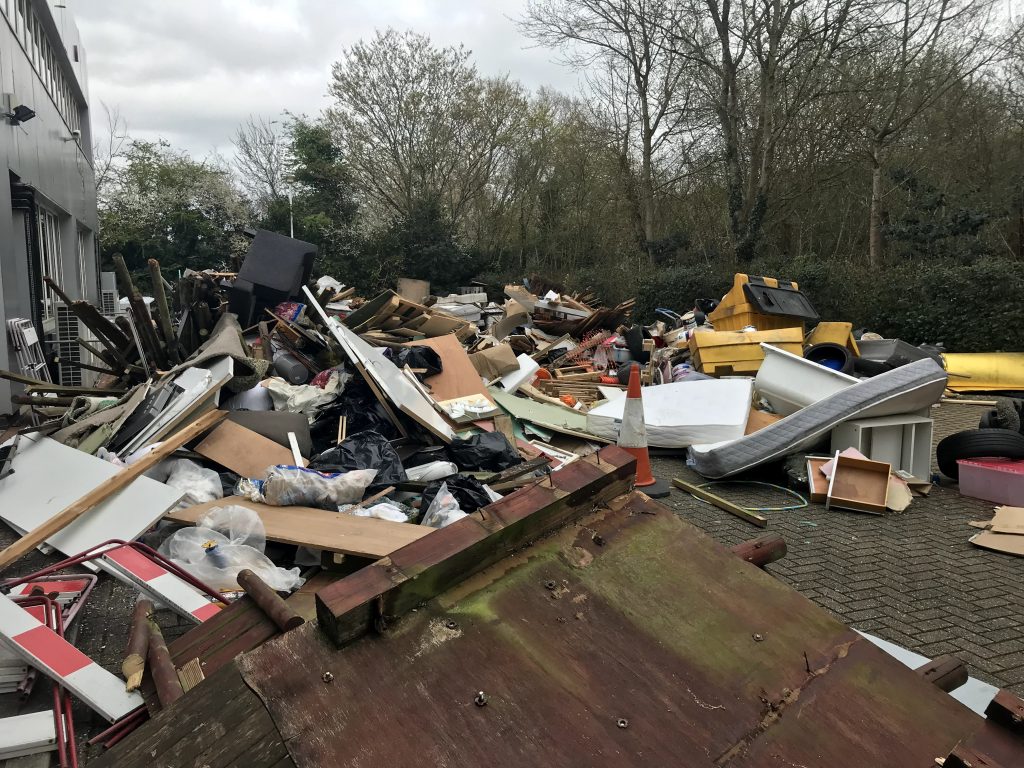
x,y
286,487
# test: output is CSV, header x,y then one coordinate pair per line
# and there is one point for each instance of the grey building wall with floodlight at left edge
x,y
42,153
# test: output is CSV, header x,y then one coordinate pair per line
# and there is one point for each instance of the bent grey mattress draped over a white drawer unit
x,y
903,391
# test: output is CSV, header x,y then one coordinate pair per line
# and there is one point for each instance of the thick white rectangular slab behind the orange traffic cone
x,y
682,414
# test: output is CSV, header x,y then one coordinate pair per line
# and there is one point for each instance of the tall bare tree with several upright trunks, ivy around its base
x,y
763,63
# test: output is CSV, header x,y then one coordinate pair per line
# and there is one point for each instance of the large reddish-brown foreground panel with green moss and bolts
x,y
631,639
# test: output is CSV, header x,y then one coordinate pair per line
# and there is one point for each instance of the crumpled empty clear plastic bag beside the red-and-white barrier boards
x,y
227,541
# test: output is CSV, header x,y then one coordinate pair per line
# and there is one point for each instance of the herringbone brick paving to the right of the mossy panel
x,y
912,579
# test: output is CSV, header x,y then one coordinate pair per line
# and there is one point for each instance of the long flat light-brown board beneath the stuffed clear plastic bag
x,y
319,529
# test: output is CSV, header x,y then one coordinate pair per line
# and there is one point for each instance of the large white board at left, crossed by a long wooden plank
x,y
49,477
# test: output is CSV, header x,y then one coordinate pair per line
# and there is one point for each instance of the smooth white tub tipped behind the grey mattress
x,y
789,382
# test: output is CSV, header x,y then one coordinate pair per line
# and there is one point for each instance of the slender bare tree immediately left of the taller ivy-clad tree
x,y
641,87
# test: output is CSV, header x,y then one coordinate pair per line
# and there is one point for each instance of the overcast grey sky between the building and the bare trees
x,y
191,71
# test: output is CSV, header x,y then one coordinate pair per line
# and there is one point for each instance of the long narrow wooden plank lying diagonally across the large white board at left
x,y
71,514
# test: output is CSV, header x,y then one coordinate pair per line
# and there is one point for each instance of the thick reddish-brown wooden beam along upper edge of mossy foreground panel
x,y
390,588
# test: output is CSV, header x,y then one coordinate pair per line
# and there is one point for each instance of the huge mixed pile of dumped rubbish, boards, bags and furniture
x,y
258,435
